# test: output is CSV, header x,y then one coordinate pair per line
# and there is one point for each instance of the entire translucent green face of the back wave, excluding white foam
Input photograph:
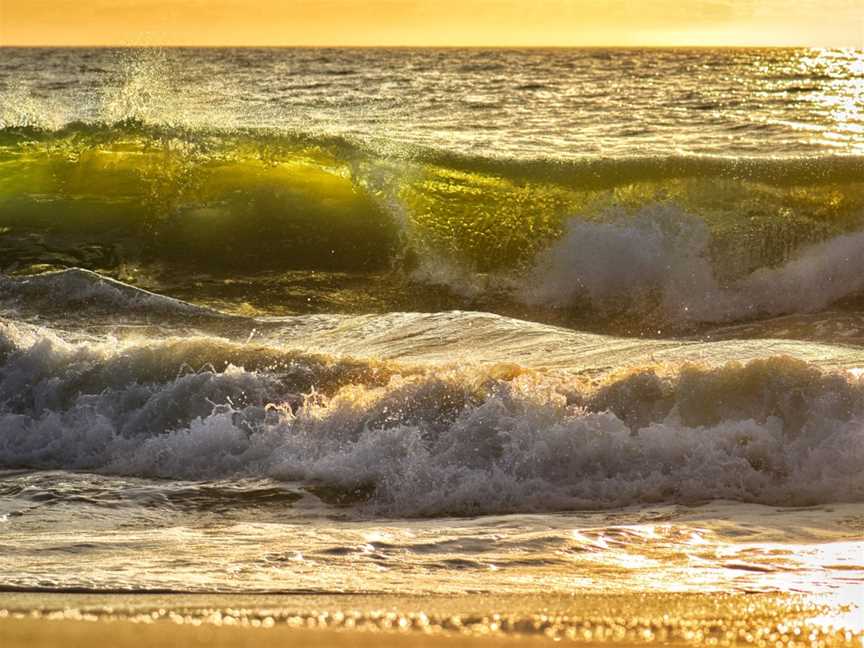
x,y
108,197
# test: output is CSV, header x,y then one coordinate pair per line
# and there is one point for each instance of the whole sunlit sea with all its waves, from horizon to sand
x,y
451,321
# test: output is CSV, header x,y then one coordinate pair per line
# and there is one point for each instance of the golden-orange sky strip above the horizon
x,y
432,22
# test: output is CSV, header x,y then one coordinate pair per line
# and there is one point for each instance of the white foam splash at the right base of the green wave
x,y
661,252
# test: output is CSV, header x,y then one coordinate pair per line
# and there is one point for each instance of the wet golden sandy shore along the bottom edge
x,y
71,620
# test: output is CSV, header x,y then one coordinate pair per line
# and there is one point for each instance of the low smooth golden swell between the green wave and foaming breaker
x,y
80,305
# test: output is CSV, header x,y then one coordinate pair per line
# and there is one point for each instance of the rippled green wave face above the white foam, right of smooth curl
x,y
498,215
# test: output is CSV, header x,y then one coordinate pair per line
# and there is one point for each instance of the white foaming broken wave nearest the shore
x,y
430,440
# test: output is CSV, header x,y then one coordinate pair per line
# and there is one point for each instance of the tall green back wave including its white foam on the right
x,y
128,197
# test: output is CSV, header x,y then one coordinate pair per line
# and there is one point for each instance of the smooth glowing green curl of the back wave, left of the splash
x,y
101,198
